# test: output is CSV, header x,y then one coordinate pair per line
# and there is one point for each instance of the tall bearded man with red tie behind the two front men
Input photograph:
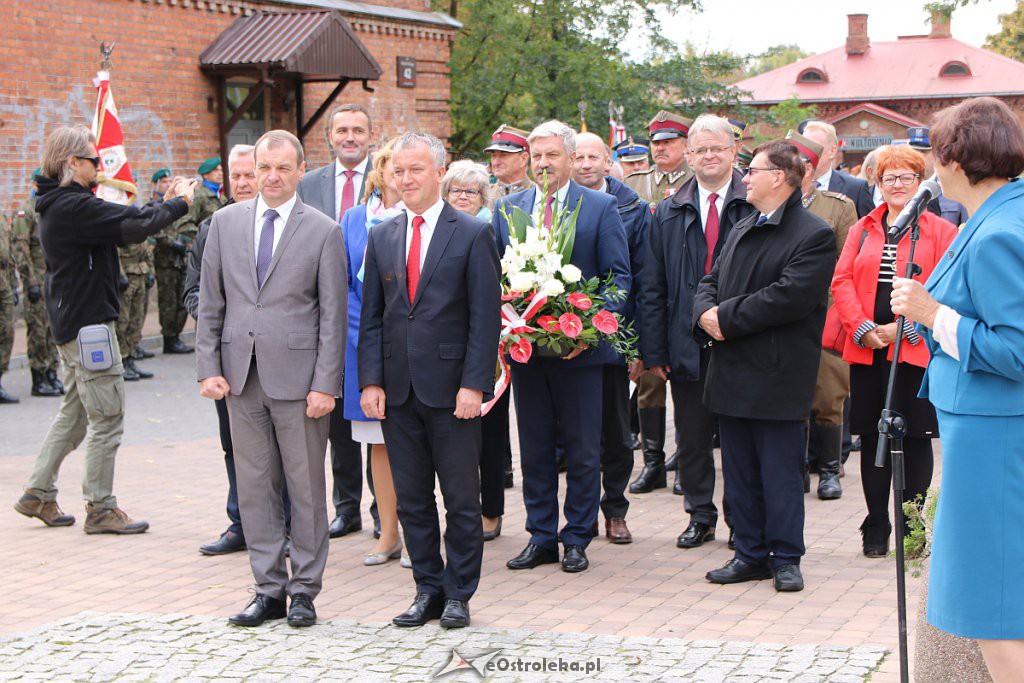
x,y
333,190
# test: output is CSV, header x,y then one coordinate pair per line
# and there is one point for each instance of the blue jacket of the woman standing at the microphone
x,y
980,279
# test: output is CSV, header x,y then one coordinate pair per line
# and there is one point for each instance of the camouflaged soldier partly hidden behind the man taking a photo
x,y
28,257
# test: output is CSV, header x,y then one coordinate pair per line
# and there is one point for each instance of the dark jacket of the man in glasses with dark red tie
x,y
676,252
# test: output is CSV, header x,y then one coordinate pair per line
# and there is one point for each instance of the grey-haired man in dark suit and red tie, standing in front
x,y
432,300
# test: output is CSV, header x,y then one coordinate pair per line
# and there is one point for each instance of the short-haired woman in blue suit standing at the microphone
x,y
973,309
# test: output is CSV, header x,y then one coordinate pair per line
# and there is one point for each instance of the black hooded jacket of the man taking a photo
x,y
80,234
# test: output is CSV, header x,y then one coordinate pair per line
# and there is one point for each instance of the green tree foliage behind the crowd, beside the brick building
x,y
524,62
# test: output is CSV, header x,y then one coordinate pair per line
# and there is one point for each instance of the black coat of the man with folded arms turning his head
x,y
771,284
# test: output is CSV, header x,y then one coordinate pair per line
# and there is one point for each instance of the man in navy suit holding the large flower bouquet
x,y
562,398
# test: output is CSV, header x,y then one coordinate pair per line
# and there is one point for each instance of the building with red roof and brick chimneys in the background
x,y
873,93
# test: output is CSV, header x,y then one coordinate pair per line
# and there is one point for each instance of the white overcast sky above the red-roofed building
x,y
753,26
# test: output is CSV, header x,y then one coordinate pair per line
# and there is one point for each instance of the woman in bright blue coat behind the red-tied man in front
x,y
382,203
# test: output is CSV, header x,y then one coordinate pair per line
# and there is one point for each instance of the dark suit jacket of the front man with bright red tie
x,y
447,337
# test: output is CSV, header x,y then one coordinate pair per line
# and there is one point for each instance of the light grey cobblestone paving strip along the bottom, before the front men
x,y
99,647
